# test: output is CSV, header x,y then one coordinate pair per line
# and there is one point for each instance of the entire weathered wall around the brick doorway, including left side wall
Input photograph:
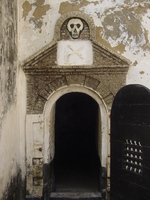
x,y
27,27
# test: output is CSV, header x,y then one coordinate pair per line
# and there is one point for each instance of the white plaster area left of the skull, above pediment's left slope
x,y
31,38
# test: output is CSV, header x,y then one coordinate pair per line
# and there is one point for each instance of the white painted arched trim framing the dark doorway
x,y
49,121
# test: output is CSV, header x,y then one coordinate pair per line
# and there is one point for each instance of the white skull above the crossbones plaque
x,y
75,27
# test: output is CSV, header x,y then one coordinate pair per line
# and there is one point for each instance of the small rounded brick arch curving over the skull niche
x,y
74,14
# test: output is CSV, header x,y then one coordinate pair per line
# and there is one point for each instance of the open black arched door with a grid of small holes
x,y
130,144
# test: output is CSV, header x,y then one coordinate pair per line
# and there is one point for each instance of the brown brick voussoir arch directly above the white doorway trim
x,y
45,88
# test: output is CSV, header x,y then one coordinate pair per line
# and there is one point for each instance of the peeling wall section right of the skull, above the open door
x,y
124,26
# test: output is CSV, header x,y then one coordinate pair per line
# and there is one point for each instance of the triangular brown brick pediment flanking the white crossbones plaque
x,y
47,59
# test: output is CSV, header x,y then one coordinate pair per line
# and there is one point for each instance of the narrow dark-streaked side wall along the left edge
x,y
9,135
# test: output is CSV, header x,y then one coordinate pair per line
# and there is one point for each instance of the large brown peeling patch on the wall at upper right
x,y
124,28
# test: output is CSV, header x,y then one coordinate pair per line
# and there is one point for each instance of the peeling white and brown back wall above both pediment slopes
x,y
120,25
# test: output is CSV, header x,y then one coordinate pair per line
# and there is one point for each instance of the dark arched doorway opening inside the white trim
x,y
77,164
